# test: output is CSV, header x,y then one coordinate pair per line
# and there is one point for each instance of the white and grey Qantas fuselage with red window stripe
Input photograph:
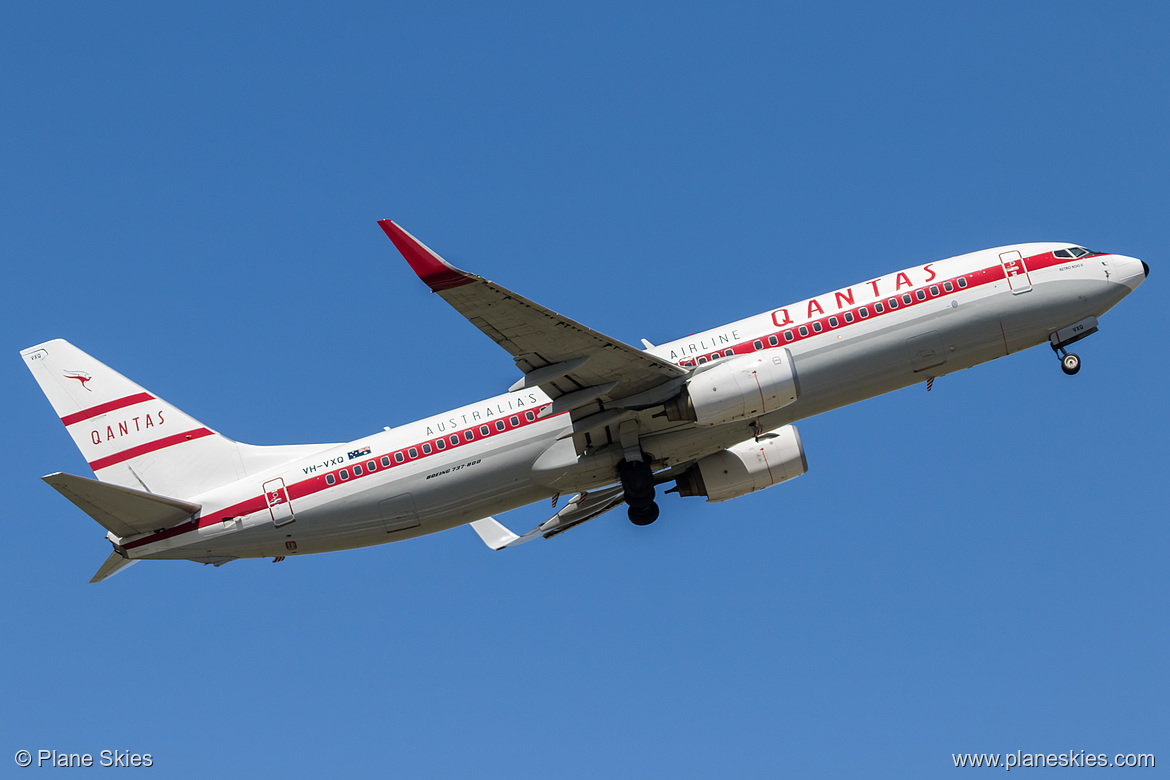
x,y
499,454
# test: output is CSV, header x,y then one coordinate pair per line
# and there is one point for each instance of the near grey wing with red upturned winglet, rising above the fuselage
x,y
573,364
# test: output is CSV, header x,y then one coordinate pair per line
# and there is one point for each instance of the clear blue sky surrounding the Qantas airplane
x,y
191,195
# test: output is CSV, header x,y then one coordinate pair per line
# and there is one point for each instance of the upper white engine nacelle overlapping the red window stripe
x,y
738,389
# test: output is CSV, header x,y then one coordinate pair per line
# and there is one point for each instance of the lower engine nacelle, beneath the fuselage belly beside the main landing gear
x,y
751,466
